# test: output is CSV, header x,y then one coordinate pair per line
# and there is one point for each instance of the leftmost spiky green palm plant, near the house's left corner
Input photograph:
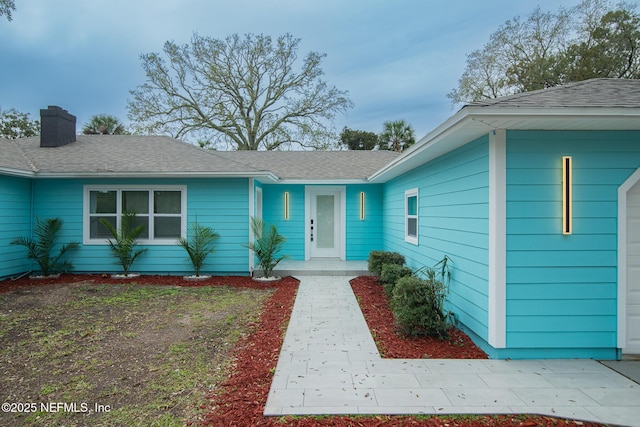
x,y
40,248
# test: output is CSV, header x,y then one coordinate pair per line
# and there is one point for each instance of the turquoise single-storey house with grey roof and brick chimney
x,y
535,198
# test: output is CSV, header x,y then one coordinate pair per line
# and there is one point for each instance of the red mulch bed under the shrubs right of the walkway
x,y
375,307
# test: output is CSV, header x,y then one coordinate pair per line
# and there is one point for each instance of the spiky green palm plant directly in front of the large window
x,y
126,239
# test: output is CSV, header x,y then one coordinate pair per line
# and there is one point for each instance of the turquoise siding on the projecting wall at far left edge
x,y
15,222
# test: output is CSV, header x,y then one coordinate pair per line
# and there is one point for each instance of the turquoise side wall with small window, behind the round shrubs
x,y
453,221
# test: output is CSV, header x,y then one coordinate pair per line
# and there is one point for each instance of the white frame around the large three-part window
x,y
86,223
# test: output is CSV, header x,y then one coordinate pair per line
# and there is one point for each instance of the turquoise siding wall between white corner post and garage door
x,y
562,290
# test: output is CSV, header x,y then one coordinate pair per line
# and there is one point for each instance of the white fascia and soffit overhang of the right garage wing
x,y
473,122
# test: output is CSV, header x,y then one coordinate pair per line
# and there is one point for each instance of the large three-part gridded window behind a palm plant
x,y
160,211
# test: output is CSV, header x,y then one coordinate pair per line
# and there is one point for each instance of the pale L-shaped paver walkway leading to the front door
x,y
329,364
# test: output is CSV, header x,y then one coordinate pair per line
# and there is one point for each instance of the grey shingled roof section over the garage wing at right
x,y
620,93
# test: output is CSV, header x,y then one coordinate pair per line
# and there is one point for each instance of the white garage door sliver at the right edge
x,y
633,271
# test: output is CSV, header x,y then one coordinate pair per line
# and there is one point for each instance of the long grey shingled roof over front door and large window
x,y
132,155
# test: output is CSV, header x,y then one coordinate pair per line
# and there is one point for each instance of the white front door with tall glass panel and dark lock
x,y
325,225
